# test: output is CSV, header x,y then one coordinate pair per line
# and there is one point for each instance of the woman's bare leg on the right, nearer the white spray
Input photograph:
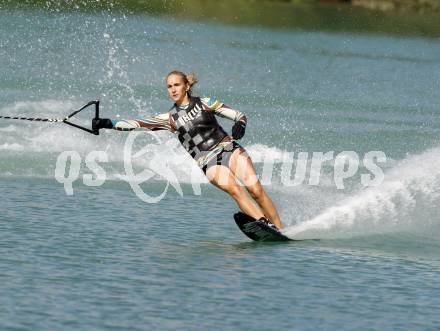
x,y
241,165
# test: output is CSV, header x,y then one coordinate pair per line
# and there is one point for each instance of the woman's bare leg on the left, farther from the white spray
x,y
223,178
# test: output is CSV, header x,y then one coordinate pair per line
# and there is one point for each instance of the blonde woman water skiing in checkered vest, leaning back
x,y
220,157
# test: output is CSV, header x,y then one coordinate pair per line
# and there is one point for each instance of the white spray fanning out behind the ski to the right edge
x,y
406,201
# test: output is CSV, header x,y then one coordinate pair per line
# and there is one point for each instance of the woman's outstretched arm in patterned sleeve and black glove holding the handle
x,y
155,123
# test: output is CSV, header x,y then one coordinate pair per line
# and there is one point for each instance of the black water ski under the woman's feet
x,y
257,230
